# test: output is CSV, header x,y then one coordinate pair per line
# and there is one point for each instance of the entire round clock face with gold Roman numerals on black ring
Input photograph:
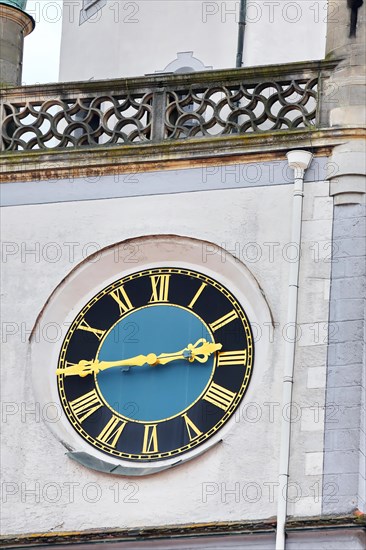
x,y
155,364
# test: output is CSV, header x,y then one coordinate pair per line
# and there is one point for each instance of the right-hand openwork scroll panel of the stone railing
x,y
242,108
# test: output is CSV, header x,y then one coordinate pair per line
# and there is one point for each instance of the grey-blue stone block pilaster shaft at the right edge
x,y
344,446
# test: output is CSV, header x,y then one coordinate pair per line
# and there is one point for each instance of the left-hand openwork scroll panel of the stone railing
x,y
60,123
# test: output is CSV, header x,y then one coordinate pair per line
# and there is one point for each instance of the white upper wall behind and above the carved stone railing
x,y
142,37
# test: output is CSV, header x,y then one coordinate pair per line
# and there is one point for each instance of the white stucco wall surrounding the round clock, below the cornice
x,y
70,497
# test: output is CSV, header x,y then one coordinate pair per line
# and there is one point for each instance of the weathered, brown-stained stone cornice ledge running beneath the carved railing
x,y
39,165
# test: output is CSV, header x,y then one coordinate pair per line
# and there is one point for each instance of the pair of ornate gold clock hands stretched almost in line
x,y
199,351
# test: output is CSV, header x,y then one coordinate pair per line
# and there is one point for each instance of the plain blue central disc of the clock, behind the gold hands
x,y
154,393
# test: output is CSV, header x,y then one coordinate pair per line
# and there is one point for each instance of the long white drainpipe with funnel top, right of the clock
x,y
299,161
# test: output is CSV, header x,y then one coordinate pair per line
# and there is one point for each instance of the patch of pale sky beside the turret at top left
x,y
42,46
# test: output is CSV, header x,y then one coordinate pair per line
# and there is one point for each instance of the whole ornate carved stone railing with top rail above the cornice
x,y
162,107
